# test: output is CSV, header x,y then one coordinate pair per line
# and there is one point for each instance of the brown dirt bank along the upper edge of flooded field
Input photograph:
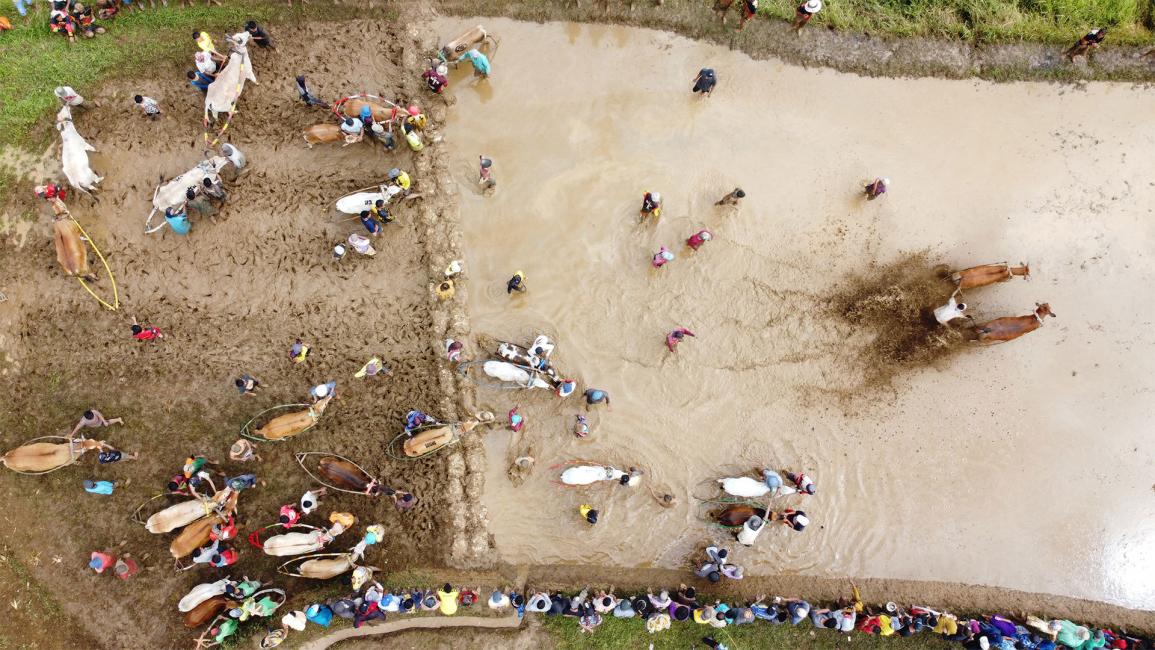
x,y
853,53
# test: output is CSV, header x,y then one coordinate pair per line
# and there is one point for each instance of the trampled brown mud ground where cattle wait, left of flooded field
x,y
232,297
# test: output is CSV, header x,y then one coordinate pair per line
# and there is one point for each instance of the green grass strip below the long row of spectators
x,y
631,633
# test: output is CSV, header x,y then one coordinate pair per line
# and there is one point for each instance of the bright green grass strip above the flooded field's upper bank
x,y
1044,21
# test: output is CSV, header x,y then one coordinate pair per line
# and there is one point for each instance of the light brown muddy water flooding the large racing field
x,y
1026,466
